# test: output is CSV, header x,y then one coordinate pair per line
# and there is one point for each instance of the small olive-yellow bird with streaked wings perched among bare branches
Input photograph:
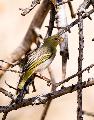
x,y
37,61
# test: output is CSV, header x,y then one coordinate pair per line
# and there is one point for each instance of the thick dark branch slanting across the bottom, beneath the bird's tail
x,y
44,98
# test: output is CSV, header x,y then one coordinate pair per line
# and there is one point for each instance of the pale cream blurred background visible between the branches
x,y
13,27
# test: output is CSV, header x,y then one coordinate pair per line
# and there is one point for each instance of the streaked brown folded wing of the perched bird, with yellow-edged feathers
x,y
37,57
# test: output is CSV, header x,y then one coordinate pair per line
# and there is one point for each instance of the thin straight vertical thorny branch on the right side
x,y
80,59
